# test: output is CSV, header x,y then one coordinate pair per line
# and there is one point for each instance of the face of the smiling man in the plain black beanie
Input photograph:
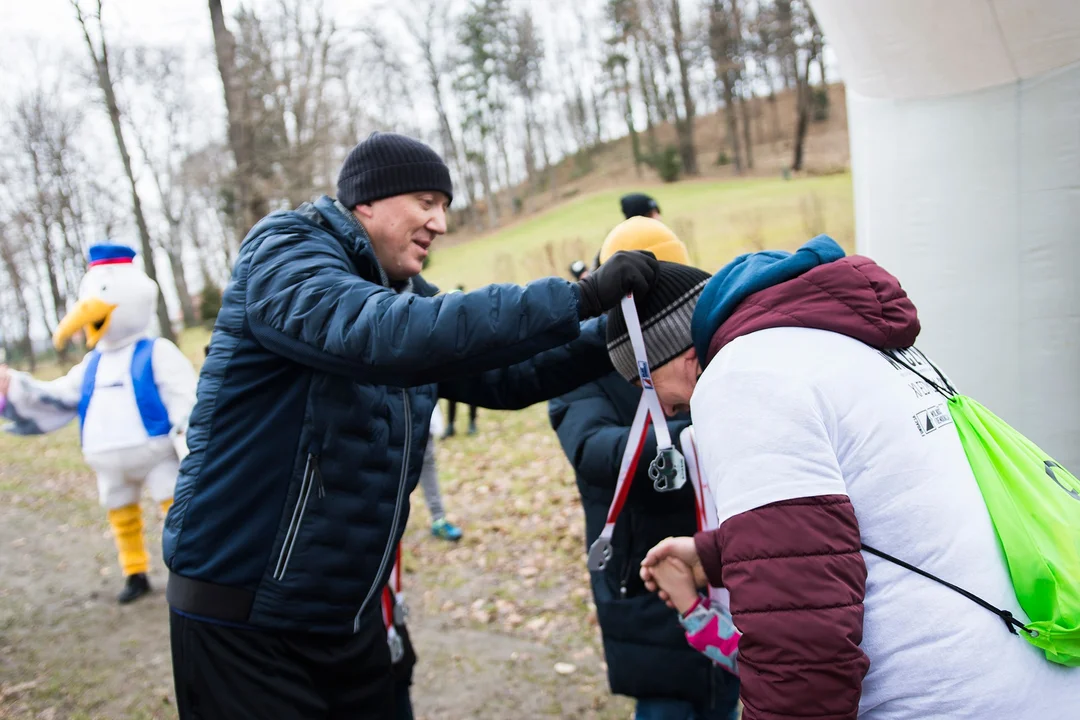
x,y
402,229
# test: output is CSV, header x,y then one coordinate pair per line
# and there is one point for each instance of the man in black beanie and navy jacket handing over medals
x,y
315,403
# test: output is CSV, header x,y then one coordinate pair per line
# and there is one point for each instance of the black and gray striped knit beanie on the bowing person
x,y
666,315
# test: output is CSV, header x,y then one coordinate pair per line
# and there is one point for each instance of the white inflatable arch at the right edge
x,y
965,121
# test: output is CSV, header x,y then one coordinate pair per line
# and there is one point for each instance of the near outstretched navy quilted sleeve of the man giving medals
x,y
306,303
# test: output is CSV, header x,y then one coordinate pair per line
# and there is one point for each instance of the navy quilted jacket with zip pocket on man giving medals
x,y
313,415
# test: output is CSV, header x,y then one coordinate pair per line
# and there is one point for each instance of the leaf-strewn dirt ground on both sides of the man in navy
x,y
491,617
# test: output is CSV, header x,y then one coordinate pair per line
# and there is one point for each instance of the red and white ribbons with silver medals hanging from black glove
x,y
668,470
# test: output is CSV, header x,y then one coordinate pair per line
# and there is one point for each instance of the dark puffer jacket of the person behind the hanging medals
x,y
644,645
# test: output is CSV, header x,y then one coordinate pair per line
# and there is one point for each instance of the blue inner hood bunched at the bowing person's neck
x,y
749,275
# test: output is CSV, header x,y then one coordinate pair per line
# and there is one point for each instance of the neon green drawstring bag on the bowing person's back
x,y
1035,507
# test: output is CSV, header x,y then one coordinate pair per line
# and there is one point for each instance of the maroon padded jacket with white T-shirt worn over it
x,y
816,443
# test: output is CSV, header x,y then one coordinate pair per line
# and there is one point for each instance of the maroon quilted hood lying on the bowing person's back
x,y
853,296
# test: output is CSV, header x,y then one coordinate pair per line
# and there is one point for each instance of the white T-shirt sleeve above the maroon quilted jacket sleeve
x,y
763,438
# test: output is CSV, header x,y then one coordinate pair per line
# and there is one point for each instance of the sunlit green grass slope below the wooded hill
x,y
719,221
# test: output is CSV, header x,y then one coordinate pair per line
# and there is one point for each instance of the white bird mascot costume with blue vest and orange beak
x,y
132,393
